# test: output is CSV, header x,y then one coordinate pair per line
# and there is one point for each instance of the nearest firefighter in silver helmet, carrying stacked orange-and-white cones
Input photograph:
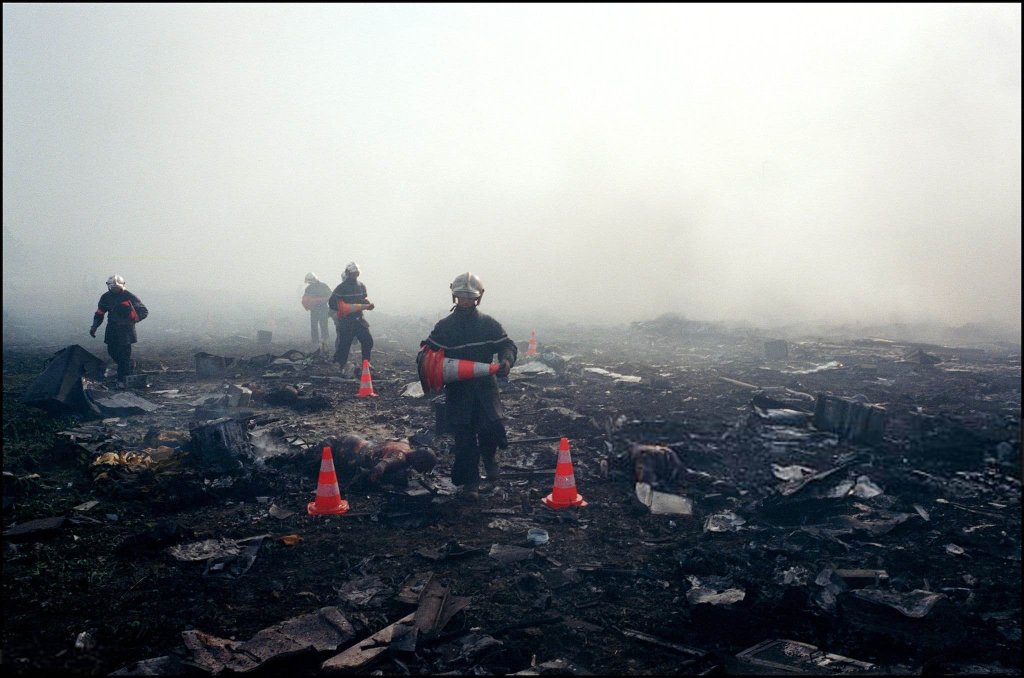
x,y
474,411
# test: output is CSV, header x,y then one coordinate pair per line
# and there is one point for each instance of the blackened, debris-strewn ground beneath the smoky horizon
x,y
818,505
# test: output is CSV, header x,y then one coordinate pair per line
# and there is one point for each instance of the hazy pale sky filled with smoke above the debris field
x,y
847,162
